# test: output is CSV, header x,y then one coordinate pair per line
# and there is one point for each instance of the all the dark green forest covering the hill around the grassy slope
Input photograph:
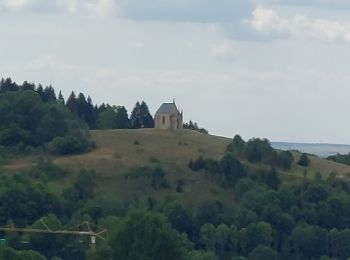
x,y
271,217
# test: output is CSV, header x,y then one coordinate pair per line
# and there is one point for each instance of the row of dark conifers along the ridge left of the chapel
x,y
103,116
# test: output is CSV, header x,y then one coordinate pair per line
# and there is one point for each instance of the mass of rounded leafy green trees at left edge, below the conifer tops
x,y
32,118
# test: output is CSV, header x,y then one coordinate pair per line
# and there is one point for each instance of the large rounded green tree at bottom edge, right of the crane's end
x,y
147,236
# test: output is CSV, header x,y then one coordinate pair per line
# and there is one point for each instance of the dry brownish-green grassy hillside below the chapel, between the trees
x,y
120,151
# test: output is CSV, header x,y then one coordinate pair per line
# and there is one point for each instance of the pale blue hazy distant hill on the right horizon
x,y
322,150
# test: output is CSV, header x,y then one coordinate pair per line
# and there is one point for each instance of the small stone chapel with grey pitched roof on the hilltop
x,y
168,117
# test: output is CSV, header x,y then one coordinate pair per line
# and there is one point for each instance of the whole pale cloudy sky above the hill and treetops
x,y
277,69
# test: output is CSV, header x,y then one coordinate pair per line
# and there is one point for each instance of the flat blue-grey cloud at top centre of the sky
x,y
187,10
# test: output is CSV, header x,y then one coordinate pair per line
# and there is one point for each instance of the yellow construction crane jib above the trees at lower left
x,y
84,229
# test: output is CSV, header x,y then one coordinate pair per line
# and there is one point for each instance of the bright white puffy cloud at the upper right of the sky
x,y
267,21
